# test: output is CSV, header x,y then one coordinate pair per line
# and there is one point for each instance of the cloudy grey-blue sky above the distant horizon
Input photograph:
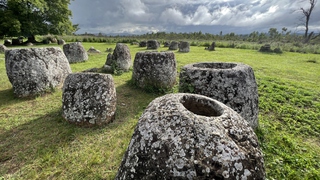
x,y
208,16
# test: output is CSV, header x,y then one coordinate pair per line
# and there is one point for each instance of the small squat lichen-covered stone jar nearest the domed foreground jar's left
x,y
89,99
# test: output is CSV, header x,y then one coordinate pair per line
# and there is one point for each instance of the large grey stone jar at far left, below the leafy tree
x,y
33,71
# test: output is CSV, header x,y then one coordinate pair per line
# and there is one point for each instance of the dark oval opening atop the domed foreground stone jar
x,y
201,106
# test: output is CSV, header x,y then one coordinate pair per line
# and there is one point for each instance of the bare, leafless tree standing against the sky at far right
x,y
307,14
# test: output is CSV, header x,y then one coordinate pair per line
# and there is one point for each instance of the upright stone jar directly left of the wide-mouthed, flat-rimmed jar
x,y
154,70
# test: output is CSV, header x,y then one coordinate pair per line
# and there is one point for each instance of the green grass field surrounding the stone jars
x,y
37,143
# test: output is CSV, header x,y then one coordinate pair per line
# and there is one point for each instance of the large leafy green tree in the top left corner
x,y
35,17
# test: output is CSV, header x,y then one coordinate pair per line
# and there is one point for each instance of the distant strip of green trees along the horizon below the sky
x,y
272,36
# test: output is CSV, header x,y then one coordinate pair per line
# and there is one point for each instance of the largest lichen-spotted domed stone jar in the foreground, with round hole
x,y
190,136
